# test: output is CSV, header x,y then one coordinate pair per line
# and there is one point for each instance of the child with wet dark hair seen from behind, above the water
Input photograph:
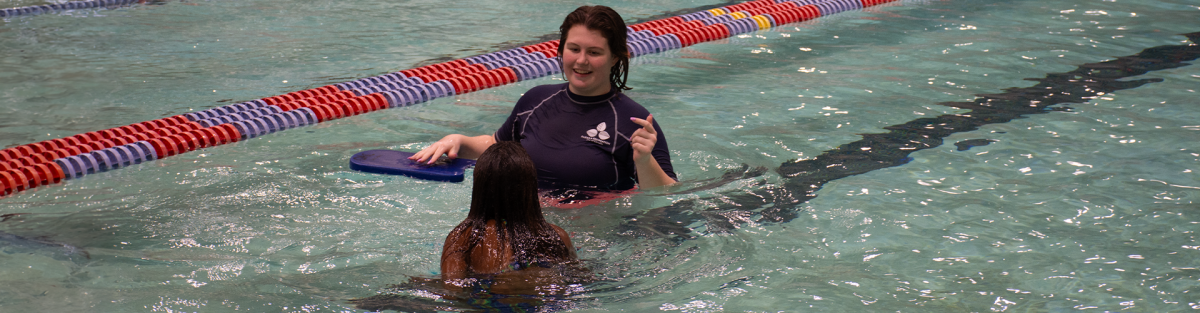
x,y
505,233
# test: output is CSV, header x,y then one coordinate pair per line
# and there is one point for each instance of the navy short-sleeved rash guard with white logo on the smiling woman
x,y
579,142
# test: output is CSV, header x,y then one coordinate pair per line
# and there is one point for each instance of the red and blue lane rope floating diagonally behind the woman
x,y
49,162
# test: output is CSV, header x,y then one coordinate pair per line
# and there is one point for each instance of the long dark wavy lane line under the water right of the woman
x,y
803,179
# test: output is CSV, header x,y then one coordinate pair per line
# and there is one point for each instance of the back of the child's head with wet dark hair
x,y
506,185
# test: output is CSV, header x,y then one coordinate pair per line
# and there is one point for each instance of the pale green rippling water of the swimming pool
x,y
1087,208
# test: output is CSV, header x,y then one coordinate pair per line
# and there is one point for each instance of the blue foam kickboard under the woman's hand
x,y
397,164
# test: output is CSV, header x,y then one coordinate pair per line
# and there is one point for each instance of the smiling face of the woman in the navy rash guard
x,y
587,62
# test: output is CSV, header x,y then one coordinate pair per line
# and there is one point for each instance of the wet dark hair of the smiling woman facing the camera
x,y
610,26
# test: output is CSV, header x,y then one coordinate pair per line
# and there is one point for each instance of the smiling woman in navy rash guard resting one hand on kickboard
x,y
584,135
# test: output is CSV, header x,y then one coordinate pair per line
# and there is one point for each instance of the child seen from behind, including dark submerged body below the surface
x,y
505,252
